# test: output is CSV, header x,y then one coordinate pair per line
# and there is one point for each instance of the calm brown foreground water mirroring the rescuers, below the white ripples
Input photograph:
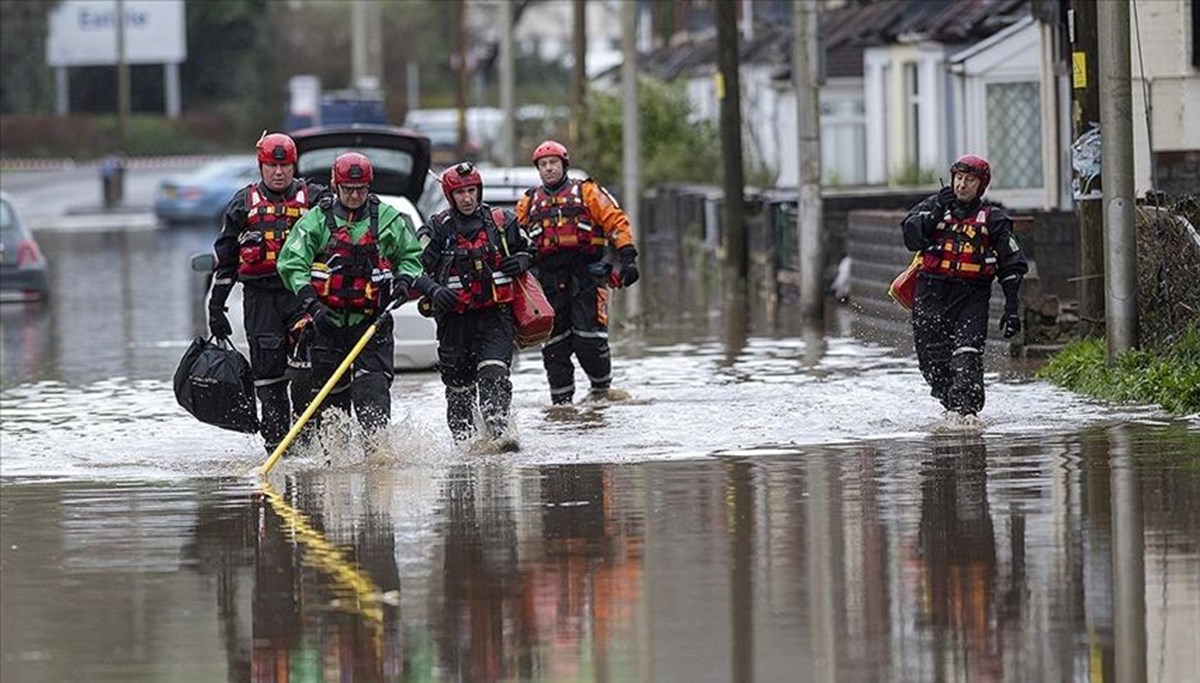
x,y
951,559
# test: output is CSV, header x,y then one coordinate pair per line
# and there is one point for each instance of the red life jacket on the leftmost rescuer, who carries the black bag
x,y
267,229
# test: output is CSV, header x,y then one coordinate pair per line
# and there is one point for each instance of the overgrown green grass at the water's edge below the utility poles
x,y
1169,378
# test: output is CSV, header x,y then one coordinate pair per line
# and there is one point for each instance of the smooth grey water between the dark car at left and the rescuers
x,y
124,304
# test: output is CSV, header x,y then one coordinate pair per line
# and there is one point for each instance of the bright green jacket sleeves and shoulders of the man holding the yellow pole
x,y
310,237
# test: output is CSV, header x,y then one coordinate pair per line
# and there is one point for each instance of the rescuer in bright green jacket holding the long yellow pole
x,y
346,261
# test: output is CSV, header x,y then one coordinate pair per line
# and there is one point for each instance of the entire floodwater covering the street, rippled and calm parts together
x,y
766,507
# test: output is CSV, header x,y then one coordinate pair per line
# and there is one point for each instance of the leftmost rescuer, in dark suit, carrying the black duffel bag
x,y
256,224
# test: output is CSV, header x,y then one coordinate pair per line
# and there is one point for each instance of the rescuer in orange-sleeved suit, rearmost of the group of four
x,y
571,223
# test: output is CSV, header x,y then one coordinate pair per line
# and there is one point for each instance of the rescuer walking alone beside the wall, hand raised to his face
x,y
965,243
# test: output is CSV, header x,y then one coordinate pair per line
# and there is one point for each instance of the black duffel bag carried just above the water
x,y
214,384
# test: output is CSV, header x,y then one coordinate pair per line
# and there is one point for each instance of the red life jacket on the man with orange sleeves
x,y
560,221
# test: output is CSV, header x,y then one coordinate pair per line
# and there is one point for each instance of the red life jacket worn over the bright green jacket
x,y
353,277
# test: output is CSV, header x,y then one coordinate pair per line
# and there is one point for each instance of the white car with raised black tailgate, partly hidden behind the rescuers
x,y
401,164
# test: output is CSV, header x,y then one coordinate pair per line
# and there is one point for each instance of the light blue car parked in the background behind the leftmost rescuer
x,y
202,196
